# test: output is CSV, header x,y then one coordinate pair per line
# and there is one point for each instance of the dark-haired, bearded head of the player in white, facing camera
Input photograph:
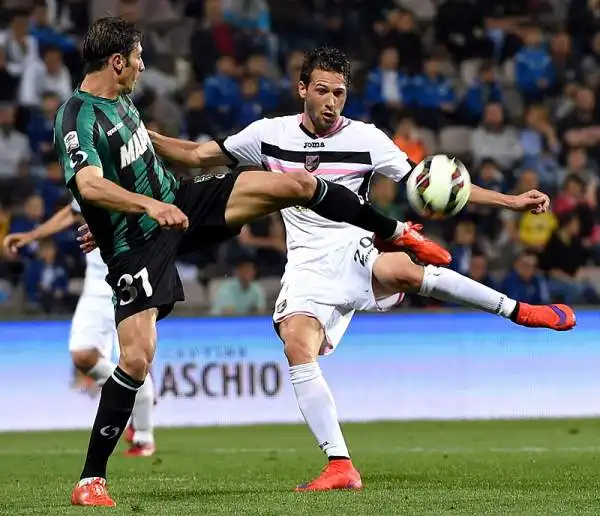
x,y
323,86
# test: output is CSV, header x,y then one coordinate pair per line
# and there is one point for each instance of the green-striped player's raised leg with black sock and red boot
x,y
258,193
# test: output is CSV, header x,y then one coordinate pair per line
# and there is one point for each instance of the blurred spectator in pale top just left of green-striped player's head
x,y
49,75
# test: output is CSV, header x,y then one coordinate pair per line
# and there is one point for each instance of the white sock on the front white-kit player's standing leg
x,y
318,408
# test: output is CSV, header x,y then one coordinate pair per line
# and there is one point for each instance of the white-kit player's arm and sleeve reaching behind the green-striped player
x,y
240,149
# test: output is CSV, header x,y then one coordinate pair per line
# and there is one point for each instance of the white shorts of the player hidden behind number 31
x,y
93,326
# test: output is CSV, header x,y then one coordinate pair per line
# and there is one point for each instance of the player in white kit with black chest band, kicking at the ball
x,y
334,269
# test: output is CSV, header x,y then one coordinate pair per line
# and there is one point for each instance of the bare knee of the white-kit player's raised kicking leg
x,y
395,272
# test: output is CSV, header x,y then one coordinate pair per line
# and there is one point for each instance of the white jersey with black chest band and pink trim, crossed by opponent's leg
x,y
348,154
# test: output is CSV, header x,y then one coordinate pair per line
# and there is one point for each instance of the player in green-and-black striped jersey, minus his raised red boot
x,y
142,218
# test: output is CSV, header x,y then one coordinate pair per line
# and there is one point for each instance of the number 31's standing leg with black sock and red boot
x,y
137,340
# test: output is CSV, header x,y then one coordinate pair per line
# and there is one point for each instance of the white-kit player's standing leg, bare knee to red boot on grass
x,y
303,336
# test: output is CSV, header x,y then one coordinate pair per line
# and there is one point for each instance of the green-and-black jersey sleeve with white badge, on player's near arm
x,y
75,139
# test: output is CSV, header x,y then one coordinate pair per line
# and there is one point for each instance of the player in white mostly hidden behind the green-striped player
x,y
93,333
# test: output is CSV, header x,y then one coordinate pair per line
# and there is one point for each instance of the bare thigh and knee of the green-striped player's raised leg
x,y
257,193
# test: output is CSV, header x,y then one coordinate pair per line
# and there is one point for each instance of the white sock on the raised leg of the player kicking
x,y
448,285
